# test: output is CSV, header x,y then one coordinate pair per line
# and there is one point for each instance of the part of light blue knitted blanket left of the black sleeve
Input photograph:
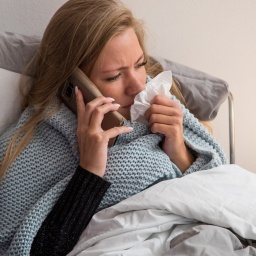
x,y
35,180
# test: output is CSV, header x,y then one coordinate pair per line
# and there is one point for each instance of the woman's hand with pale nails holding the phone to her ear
x,y
92,139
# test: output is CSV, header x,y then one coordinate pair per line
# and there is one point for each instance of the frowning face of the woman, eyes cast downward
x,y
119,71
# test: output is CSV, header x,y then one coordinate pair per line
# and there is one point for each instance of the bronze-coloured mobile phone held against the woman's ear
x,y
90,92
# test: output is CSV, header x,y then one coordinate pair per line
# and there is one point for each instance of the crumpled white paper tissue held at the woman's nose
x,y
161,84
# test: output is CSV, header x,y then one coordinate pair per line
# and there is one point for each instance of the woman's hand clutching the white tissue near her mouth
x,y
165,116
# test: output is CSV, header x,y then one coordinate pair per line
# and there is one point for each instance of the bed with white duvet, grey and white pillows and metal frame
x,y
211,212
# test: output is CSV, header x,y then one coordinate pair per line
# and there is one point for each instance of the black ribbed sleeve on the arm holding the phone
x,y
71,214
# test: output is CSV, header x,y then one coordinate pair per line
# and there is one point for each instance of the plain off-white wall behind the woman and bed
x,y
217,37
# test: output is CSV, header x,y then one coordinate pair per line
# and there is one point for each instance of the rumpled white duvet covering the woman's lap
x,y
145,224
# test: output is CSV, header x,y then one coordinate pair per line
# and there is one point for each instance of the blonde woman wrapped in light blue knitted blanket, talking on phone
x,y
52,179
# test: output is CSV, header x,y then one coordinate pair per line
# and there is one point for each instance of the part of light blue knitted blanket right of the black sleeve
x,y
137,161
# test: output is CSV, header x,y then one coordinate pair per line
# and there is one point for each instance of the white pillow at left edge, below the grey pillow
x,y
10,103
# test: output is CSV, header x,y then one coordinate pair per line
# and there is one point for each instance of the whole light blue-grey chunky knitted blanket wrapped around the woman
x,y
41,172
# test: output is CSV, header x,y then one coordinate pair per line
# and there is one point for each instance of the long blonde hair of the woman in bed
x,y
74,37
